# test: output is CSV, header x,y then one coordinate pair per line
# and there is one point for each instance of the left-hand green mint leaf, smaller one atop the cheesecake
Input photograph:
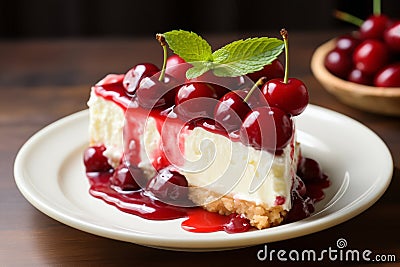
x,y
188,45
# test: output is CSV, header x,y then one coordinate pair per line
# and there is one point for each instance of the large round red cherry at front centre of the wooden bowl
x,y
370,56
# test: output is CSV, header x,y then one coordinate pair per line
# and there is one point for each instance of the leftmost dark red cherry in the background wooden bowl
x,y
339,63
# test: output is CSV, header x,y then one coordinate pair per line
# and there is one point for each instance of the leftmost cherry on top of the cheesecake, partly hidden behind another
x,y
135,75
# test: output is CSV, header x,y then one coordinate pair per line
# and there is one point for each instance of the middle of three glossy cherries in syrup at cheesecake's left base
x,y
126,179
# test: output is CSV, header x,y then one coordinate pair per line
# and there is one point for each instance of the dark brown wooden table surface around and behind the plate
x,y
44,80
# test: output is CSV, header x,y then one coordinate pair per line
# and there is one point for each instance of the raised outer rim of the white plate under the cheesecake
x,y
304,227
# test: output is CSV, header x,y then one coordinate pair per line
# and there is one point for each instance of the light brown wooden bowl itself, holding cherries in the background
x,y
381,100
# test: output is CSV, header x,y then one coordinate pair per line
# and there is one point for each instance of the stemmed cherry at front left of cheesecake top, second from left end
x,y
153,93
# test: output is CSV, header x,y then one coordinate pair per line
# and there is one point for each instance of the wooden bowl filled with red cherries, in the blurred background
x,y
362,68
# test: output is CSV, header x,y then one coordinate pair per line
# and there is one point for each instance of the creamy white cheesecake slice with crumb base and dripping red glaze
x,y
224,175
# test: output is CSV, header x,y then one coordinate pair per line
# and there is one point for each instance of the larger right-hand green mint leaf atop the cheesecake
x,y
246,56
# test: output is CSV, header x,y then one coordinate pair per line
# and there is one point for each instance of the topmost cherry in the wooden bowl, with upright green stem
x,y
374,26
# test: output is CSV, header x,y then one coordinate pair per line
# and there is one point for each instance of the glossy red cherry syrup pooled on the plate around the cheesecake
x,y
307,190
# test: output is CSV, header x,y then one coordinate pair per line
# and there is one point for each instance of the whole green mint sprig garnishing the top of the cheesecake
x,y
237,58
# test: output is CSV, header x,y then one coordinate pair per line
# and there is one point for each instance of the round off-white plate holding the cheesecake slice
x,y
50,174
